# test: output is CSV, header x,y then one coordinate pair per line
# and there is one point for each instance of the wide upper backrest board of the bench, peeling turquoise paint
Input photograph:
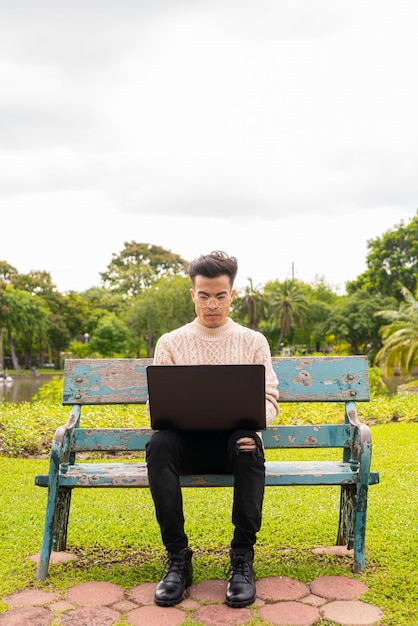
x,y
301,379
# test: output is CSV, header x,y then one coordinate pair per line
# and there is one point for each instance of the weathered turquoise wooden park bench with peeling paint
x,y
305,379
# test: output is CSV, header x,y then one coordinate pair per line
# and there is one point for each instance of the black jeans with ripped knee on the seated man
x,y
170,454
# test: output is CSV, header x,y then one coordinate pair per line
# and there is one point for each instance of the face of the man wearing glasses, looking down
x,y
212,298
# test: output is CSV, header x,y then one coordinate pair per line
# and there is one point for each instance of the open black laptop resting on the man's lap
x,y
207,397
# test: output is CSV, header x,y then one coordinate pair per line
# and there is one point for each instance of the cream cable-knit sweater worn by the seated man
x,y
195,344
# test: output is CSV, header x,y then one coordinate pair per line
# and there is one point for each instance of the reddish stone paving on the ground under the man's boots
x,y
280,601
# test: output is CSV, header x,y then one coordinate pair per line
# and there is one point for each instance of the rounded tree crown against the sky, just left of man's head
x,y
139,265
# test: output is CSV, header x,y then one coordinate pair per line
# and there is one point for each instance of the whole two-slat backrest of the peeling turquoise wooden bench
x,y
301,379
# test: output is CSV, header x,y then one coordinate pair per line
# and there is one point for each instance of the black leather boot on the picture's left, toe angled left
x,y
179,574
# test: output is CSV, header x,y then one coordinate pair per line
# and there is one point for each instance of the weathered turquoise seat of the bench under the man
x,y
277,473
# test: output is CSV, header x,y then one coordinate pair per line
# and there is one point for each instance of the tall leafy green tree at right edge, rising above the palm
x,y
392,261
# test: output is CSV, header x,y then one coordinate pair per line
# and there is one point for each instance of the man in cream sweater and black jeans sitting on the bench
x,y
212,338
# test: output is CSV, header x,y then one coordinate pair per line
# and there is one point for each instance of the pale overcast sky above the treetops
x,y
284,132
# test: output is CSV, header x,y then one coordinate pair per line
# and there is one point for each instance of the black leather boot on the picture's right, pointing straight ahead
x,y
240,590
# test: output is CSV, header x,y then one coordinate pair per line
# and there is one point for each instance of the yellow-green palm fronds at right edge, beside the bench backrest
x,y
400,336
